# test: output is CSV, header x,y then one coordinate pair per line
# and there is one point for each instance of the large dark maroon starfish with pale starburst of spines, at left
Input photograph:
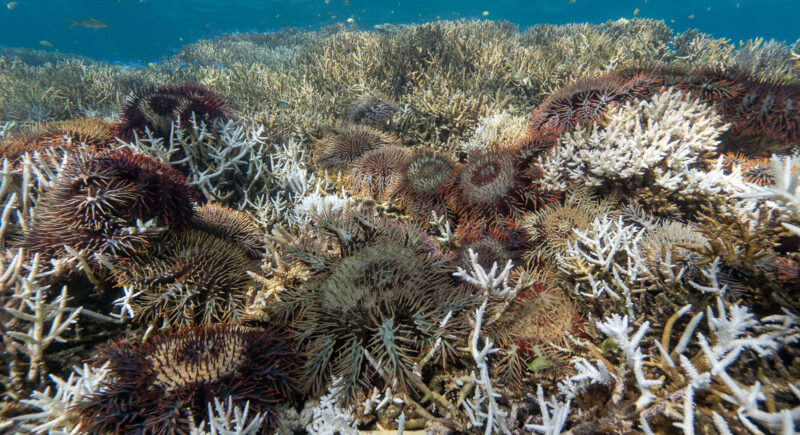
x,y
96,200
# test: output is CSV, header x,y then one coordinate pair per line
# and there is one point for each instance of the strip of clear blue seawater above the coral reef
x,y
147,30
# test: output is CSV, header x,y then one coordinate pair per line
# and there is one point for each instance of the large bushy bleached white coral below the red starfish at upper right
x,y
662,139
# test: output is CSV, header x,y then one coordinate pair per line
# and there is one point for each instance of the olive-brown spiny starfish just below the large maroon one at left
x,y
188,278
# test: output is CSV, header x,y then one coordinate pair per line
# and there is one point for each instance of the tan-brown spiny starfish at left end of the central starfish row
x,y
346,144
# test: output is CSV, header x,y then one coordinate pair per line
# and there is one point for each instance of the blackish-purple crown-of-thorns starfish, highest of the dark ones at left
x,y
157,109
